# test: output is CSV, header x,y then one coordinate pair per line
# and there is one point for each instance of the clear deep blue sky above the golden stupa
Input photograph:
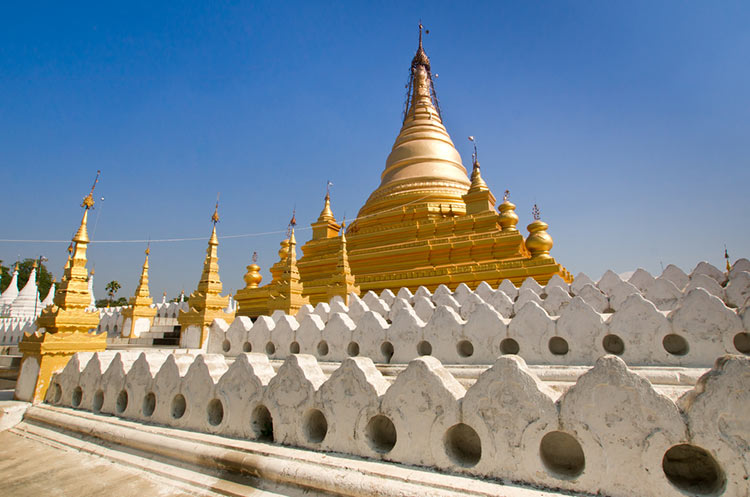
x,y
627,122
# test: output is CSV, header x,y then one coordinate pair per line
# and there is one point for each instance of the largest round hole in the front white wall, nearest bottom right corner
x,y
693,470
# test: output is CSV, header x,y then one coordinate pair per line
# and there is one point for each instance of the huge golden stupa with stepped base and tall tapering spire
x,y
427,224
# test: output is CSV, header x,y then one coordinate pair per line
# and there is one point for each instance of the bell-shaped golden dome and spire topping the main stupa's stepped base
x,y
423,166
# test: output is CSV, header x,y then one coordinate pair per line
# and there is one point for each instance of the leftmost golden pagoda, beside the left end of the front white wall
x,y
65,327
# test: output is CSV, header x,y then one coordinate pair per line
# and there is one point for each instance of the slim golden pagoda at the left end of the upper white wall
x,y
205,303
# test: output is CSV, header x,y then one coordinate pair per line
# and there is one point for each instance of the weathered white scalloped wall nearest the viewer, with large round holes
x,y
610,433
